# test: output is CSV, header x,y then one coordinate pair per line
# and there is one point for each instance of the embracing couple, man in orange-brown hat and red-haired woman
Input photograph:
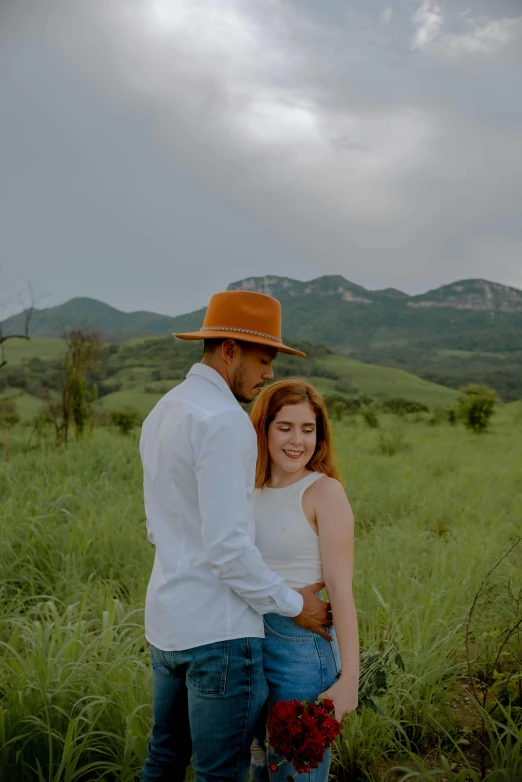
x,y
249,522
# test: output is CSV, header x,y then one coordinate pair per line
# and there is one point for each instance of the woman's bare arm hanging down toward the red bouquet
x,y
336,531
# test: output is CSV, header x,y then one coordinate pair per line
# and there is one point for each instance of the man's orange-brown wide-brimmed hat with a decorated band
x,y
246,316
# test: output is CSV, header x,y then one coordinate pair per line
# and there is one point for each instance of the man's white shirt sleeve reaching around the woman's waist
x,y
227,517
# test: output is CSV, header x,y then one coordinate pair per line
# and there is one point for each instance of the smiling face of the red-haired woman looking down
x,y
292,437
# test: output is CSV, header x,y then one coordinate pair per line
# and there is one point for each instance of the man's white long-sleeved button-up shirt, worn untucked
x,y
209,582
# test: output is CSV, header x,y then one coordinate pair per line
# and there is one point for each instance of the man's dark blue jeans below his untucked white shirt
x,y
206,702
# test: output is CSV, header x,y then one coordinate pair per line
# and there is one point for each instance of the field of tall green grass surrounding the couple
x,y
435,512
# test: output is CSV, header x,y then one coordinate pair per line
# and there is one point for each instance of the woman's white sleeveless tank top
x,y
287,542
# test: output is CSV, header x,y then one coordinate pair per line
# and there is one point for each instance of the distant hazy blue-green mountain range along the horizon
x,y
468,331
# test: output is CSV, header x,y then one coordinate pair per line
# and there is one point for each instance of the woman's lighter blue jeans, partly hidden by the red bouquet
x,y
298,664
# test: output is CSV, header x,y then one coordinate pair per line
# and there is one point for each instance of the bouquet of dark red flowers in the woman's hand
x,y
303,731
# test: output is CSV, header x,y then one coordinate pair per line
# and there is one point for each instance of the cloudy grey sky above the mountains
x,y
152,151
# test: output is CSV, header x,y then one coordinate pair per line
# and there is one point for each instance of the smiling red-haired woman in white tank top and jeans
x,y
304,530
